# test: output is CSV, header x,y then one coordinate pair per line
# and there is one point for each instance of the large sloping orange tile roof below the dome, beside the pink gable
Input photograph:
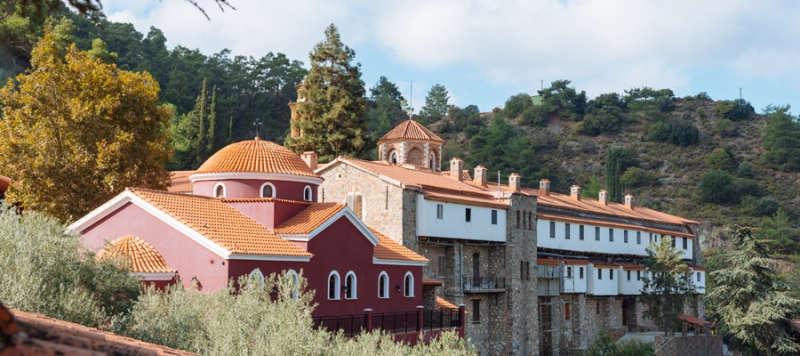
x,y
220,223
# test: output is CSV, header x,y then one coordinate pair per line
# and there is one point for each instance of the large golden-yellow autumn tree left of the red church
x,y
76,132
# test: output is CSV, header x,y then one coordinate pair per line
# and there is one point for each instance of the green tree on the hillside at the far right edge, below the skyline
x,y
781,140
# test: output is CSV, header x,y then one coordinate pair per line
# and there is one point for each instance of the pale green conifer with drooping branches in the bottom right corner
x,y
748,302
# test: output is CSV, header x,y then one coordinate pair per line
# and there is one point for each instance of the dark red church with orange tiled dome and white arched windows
x,y
252,208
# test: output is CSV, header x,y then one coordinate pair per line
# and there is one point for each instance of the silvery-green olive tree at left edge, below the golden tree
x,y
48,271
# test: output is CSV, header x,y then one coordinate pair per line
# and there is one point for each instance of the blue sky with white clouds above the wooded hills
x,y
485,51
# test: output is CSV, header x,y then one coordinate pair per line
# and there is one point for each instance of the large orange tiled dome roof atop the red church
x,y
256,156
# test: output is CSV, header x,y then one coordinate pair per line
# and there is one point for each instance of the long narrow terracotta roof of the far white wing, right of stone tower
x,y
564,201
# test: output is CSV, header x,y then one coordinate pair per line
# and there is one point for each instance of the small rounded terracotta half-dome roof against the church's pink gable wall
x,y
143,257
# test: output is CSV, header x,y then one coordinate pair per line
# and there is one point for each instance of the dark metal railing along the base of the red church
x,y
394,323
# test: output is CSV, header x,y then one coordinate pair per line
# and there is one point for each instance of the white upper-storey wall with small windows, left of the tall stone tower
x,y
454,225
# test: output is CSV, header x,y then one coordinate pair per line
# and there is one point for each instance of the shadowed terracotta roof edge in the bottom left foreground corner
x,y
36,334
